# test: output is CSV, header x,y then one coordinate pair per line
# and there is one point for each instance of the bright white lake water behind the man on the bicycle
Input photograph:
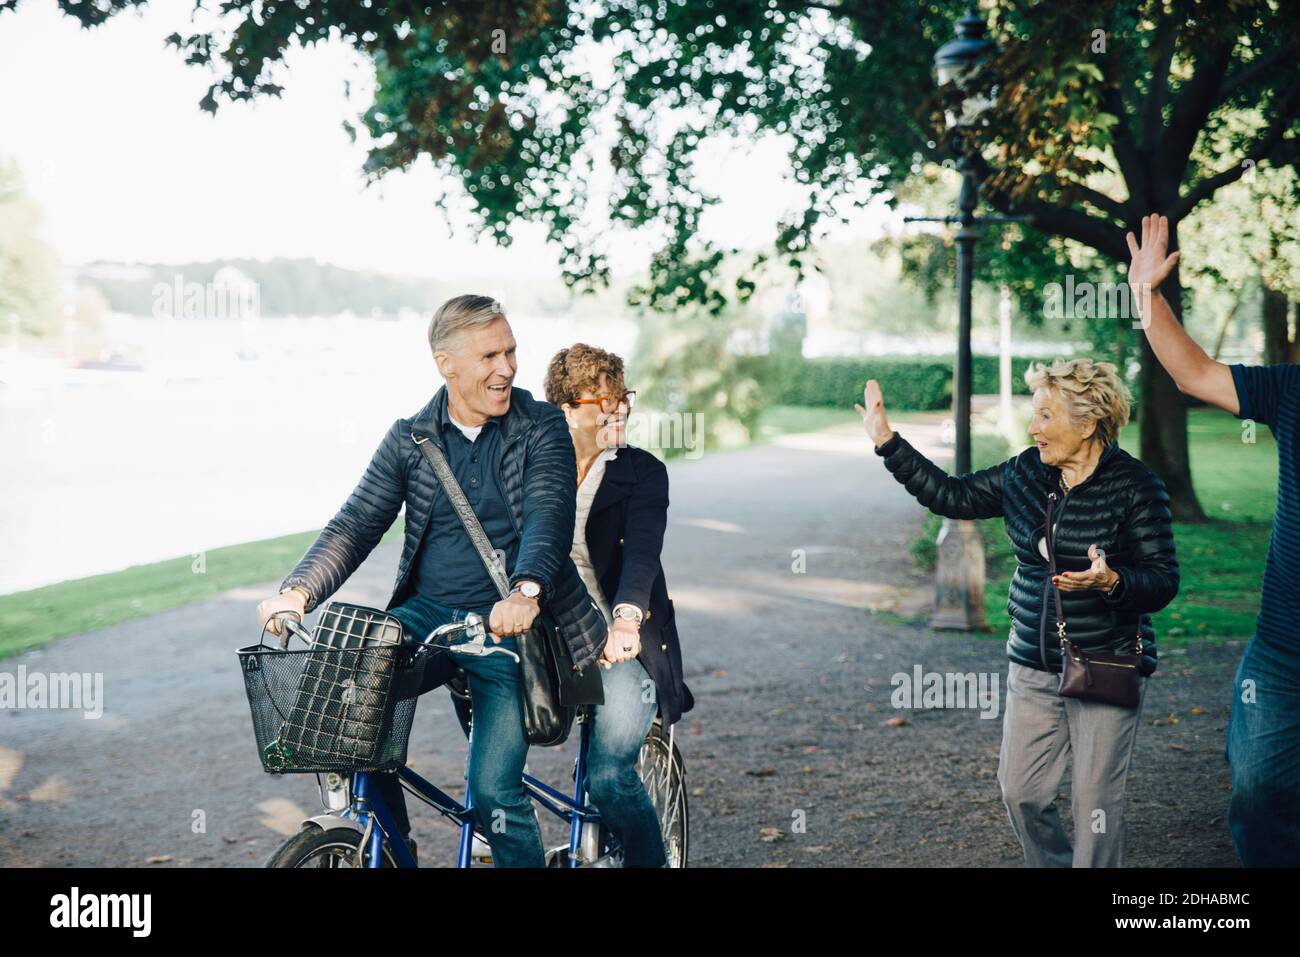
x,y
232,432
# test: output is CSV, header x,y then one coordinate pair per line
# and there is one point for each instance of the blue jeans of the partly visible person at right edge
x,y
1264,751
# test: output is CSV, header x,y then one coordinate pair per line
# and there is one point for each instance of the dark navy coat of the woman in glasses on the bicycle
x,y
625,538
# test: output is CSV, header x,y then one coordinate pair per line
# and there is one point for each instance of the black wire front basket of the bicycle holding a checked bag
x,y
331,707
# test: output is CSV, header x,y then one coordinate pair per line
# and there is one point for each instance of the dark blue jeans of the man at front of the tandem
x,y
497,750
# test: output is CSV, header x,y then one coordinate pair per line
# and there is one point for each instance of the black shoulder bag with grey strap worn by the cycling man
x,y
552,688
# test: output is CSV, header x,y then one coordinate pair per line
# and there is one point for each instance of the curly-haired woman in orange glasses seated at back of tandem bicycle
x,y
622,513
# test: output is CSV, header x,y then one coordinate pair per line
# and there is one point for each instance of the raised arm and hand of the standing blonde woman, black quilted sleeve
x,y
974,496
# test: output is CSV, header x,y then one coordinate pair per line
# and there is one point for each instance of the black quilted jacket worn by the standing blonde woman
x,y
1123,508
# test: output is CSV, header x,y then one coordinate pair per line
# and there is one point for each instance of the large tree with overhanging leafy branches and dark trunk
x,y
1103,111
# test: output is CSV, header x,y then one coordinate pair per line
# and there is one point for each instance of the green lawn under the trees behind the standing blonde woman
x,y
1221,562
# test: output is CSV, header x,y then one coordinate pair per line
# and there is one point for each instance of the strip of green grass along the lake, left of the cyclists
x,y
33,618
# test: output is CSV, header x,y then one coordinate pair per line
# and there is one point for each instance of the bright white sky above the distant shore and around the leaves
x,y
106,128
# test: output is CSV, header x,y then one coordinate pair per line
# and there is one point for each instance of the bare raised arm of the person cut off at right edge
x,y
1193,371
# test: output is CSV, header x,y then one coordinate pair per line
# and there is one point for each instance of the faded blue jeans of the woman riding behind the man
x,y
619,728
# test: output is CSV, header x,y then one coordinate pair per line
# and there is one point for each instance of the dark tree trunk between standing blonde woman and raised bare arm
x,y
1163,415
